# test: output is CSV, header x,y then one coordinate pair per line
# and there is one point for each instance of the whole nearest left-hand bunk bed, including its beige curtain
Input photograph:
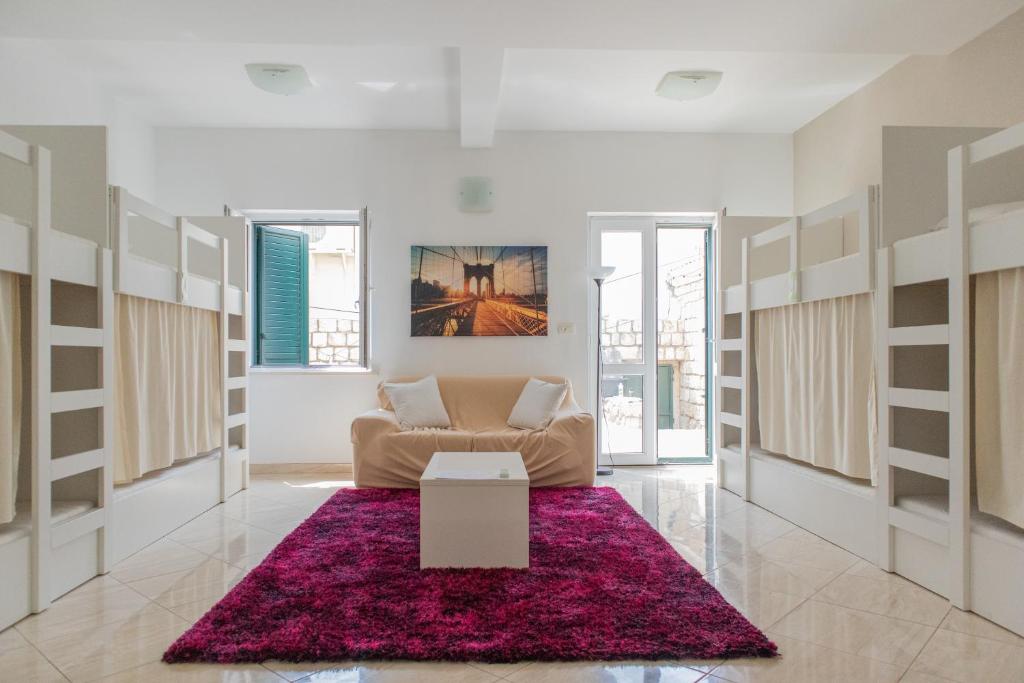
x,y
54,543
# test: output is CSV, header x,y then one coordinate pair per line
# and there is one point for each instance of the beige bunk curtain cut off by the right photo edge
x,y
999,394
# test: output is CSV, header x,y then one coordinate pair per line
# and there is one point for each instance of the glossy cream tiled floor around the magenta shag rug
x,y
834,617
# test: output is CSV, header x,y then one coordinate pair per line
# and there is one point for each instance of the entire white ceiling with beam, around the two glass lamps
x,y
475,65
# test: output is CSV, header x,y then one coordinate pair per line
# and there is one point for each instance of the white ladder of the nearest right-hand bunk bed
x,y
955,469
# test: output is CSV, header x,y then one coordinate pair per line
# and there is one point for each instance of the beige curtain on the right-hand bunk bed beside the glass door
x,y
817,390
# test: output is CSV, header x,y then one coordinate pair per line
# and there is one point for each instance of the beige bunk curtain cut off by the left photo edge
x,y
11,393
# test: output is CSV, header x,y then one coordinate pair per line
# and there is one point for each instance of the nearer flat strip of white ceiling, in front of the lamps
x,y
894,27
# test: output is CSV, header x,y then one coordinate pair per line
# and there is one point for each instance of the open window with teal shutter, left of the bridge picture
x,y
310,292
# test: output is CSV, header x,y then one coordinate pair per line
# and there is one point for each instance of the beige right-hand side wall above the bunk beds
x,y
980,84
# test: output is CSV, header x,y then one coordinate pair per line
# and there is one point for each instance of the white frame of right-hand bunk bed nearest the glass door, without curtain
x,y
831,506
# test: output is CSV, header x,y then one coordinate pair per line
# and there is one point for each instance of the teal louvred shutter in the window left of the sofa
x,y
282,296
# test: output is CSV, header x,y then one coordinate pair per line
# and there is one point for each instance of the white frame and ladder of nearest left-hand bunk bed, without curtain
x,y
59,554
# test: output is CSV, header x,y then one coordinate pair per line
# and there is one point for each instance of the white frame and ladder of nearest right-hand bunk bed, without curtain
x,y
937,550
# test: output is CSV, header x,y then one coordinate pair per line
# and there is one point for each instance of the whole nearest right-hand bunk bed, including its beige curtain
x,y
935,534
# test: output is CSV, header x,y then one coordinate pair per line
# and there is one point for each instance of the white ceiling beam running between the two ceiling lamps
x,y
481,79
